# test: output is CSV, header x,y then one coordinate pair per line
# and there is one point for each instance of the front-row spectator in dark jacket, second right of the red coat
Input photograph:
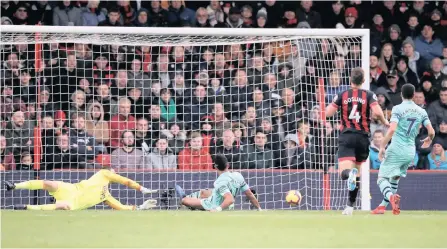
x,y
259,155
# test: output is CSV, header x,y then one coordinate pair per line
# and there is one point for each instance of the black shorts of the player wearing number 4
x,y
353,147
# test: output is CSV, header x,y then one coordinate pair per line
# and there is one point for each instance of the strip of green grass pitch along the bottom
x,y
226,229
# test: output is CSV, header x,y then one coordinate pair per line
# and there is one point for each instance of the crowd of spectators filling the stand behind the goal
x,y
174,107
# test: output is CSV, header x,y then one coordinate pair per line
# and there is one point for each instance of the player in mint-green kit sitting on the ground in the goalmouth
x,y
226,187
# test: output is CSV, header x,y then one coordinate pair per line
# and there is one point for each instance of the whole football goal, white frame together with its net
x,y
48,69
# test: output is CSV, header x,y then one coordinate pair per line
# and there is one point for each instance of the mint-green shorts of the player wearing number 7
x,y
396,162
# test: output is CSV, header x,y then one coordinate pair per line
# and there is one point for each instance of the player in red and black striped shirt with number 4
x,y
356,107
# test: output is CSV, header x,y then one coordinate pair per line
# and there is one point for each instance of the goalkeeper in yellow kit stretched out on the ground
x,y
84,194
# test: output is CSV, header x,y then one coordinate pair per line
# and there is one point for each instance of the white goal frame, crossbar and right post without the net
x,y
363,33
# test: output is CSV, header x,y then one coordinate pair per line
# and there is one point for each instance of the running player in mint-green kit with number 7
x,y
406,120
